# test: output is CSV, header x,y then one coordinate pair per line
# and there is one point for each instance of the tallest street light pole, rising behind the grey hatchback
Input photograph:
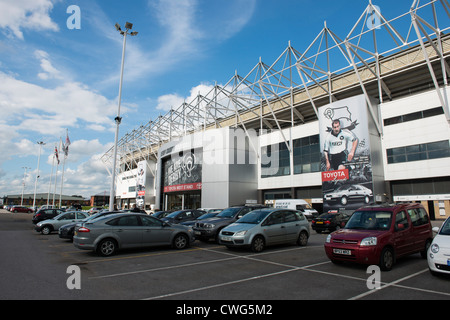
x,y
118,119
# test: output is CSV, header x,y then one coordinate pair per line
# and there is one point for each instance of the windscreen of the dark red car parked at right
x,y
370,220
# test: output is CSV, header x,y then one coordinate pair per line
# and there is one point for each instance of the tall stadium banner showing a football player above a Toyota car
x,y
346,159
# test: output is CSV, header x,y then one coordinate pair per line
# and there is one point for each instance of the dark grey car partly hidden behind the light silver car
x,y
210,228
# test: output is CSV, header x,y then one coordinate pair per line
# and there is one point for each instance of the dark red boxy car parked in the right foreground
x,y
378,235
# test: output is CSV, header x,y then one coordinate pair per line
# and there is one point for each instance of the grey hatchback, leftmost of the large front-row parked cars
x,y
129,230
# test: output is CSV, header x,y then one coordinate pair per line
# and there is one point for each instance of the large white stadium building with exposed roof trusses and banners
x,y
352,119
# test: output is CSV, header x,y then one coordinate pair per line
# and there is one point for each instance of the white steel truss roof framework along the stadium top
x,y
289,91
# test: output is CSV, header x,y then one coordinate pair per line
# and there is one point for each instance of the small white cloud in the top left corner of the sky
x,y
26,14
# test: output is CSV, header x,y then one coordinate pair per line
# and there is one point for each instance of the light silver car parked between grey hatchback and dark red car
x,y
264,227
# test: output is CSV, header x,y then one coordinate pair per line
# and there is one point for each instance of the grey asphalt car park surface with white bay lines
x,y
34,266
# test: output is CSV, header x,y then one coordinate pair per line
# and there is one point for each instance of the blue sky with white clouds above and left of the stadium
x,y
55,79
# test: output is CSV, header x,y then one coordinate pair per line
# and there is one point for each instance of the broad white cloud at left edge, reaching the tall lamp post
x,y
48,111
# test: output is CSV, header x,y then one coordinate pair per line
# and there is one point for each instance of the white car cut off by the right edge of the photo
x,y
439,251
